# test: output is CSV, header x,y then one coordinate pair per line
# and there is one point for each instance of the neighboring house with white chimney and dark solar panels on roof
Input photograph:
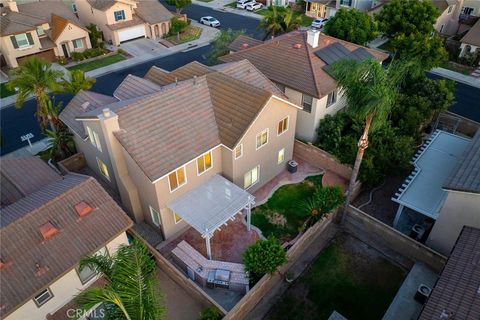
x,y
296,62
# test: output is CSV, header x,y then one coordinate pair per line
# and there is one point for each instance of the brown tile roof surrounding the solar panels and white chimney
x,y
291,61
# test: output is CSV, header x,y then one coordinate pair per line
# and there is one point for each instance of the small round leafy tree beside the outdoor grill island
x,y
262,257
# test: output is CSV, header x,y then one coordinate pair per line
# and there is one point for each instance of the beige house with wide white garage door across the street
x,y
123,20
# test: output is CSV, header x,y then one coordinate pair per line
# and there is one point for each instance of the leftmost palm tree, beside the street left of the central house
x,y
35,77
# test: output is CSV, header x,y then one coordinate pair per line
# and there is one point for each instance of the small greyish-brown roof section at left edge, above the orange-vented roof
x,y
16,184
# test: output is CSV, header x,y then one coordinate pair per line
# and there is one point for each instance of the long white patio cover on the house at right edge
x,y
422,191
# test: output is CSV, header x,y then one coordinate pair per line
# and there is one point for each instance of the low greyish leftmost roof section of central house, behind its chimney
x,y
83,102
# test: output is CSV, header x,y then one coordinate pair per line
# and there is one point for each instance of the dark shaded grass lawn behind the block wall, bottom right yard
x,y
349,277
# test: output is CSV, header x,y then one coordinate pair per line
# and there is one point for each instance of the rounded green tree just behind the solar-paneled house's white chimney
x,y
352,25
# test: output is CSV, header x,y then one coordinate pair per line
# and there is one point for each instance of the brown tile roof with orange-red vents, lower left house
x,y
23,247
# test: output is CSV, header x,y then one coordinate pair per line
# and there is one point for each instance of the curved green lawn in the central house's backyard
x,y
283,214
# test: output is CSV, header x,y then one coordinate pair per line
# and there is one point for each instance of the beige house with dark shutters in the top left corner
x,y
46,29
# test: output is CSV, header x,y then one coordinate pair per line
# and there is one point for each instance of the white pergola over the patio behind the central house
x,y
212,204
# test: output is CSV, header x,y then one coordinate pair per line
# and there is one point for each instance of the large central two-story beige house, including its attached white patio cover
x,y
194,129
